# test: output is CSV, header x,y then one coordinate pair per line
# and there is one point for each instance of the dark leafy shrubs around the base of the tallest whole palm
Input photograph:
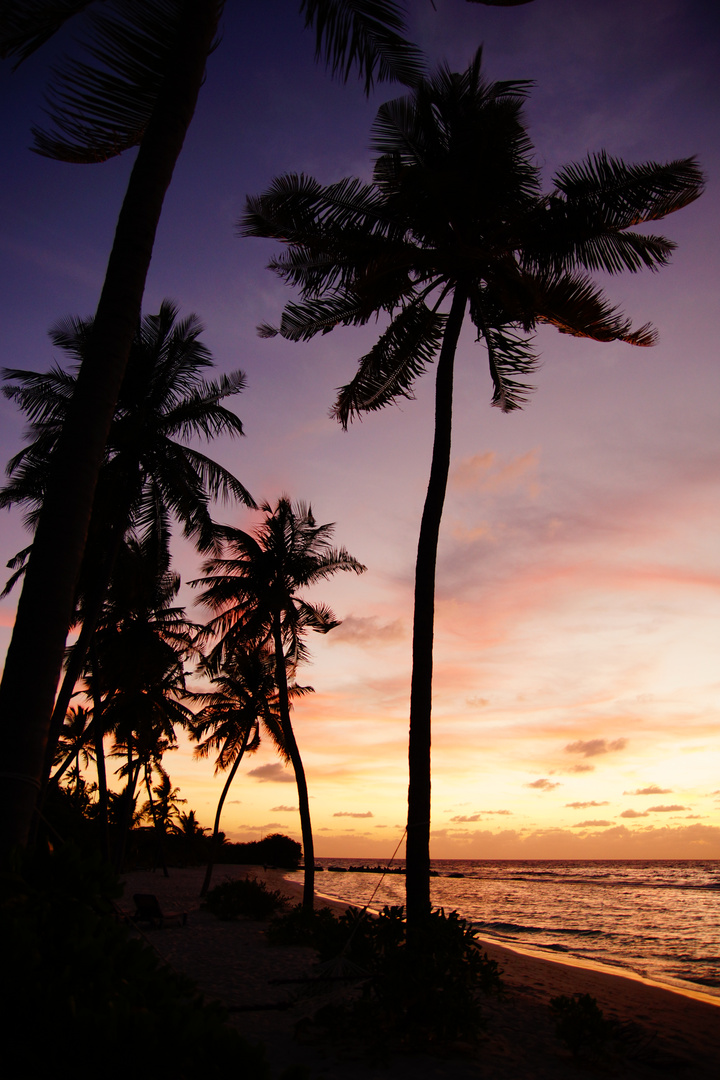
x,y
419,994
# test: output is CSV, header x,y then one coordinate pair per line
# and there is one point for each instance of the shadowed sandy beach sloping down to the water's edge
x,y
664,1033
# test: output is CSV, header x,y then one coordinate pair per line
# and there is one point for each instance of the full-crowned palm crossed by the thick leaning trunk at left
x,y
151,475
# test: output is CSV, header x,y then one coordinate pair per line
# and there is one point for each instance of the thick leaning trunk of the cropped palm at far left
x,y
35,656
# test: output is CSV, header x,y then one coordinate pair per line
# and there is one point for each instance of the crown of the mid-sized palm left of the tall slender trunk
x,y
257,580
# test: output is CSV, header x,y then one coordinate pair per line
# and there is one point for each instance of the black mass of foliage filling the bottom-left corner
x,y
80,982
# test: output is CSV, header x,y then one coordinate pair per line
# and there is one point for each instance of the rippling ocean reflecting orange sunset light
x,y
660,920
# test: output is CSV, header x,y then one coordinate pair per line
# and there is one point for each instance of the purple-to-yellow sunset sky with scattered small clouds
x,y
577,687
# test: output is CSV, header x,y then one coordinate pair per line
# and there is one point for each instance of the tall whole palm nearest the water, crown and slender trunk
x,y
456,222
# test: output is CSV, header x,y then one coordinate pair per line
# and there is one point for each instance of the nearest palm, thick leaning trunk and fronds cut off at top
x,y
137,86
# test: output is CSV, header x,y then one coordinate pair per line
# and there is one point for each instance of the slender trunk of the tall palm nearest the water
x,y
422,688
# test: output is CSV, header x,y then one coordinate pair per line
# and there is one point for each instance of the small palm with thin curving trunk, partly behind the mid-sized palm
x,y
246,699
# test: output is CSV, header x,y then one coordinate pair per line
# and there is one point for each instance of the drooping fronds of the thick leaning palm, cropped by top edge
x,y
101,101
